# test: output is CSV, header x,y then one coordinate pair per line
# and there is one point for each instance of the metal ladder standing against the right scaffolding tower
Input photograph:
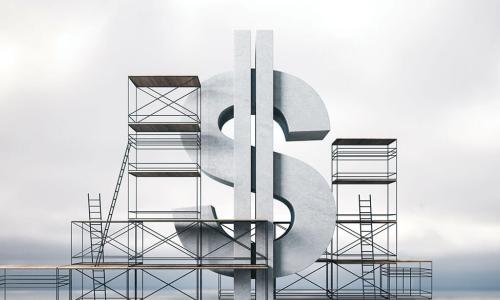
x,y
367,252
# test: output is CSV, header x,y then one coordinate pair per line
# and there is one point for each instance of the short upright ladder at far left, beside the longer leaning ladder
x,y
95,218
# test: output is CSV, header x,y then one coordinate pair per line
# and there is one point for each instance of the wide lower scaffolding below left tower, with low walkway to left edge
x,y
143,259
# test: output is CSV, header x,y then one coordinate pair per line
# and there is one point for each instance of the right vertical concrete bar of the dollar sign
x,y
264,171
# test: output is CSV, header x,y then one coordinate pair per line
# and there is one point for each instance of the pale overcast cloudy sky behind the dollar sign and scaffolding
x,y
425,72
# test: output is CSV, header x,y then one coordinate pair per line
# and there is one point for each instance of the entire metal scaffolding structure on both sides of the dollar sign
x,y
164,244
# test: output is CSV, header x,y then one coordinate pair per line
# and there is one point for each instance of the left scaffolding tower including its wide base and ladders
x,y
160,246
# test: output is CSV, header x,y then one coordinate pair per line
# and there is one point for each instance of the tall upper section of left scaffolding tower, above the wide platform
x,y
164,136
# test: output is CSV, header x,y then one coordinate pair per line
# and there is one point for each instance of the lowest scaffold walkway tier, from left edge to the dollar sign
x,y
125,281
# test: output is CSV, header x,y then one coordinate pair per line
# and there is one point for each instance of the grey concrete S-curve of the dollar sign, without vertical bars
x,y
302,116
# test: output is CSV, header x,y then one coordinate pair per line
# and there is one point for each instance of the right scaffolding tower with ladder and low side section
x,y
364,252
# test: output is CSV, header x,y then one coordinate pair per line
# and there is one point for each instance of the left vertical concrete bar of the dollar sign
x,y
242,98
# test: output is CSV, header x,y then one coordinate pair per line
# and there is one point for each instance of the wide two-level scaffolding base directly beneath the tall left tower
x,y
141,251
